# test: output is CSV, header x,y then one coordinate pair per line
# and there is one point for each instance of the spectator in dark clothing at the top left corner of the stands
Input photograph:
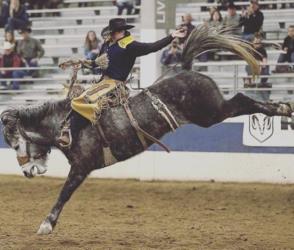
x,y
18,17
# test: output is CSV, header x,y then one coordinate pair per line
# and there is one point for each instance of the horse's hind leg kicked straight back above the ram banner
x,y
243,105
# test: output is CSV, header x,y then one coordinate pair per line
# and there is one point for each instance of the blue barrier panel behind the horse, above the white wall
x,y
224,137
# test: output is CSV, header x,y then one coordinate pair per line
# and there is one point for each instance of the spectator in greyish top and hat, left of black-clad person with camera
x,y
232,20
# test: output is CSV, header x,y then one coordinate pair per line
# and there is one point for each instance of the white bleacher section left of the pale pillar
x,y
62,37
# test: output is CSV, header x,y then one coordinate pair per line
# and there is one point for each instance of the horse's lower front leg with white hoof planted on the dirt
x,y
72,183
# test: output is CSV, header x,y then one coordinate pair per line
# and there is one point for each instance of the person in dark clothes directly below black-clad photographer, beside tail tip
x,y
260,56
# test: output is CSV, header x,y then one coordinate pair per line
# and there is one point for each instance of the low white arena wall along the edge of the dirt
x,y
182,166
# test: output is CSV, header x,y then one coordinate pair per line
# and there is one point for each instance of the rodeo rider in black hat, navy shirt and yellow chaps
x,y
120,54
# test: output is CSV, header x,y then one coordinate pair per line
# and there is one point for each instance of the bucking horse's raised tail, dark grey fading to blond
x,y
204,38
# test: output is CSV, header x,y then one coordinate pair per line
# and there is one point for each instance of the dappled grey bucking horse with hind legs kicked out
x,y
191,98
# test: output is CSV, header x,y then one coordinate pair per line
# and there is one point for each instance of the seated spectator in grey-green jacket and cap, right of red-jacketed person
x,y
29,48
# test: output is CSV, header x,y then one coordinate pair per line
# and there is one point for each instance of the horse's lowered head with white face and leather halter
x,y
31,149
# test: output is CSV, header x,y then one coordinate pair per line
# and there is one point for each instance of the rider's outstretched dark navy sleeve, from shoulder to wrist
x,y
141,49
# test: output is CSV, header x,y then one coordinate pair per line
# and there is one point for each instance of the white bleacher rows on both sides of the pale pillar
x,y
62,36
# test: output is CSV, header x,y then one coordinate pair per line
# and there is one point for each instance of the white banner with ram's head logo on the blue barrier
x,y
263,131
